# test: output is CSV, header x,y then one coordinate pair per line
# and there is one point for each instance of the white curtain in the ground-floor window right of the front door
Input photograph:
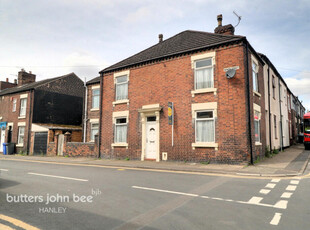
x,y
205,131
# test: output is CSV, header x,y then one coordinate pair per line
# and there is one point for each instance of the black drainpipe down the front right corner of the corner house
x,y
249,100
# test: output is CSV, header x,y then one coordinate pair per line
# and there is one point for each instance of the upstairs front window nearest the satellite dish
x,y
204,74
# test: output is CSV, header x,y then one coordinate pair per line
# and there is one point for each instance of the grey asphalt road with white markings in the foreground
x,y
62,196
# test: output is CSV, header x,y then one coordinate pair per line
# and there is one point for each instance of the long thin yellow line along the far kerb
x,y
157,170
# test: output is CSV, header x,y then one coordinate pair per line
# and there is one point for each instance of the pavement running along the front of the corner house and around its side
x,y
290,162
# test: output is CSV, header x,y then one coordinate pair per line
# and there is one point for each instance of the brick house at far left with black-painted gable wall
x,y
33,111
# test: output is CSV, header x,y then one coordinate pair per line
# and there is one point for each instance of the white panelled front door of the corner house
x,y
151,140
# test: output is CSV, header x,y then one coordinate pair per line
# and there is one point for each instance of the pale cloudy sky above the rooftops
x,y
55,37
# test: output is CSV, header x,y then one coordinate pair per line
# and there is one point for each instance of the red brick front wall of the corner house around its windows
x,y
172,80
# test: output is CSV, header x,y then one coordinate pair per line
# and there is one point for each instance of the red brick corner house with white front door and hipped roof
x,y
215,82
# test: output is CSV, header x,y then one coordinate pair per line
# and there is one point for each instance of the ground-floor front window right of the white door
x,y
204,126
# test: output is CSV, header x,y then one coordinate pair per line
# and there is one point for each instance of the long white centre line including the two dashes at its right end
x,y
282,204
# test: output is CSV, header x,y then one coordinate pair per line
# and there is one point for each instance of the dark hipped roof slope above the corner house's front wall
x,y
186,41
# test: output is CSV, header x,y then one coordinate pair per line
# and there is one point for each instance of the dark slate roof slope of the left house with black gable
x,y
31,86
